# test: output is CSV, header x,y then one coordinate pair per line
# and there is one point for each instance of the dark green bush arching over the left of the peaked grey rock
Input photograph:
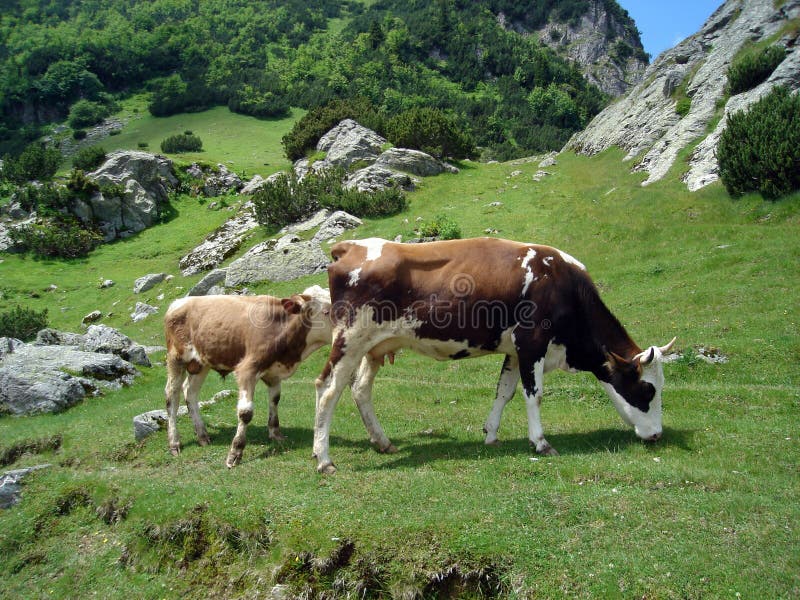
x,y
318,121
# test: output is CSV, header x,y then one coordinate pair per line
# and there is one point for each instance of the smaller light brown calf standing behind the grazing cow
x,y
255,337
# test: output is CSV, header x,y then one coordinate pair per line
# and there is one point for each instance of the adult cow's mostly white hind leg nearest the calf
x,y
335,376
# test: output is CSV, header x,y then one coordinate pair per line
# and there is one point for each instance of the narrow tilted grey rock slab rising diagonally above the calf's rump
x,y
221,243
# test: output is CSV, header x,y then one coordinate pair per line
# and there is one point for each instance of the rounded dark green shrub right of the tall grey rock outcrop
x,y
432,131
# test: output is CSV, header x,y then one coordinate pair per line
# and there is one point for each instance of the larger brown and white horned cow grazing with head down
x,y
463,298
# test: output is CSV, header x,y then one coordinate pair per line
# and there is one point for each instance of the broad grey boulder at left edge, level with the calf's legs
x,y
40,379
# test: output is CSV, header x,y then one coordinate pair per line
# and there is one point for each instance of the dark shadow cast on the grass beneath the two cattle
x,y
420,449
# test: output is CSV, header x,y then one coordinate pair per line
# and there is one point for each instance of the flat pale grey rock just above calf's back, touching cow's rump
x,y
290,262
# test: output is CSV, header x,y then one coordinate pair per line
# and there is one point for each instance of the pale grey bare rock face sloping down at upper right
x,y
645,122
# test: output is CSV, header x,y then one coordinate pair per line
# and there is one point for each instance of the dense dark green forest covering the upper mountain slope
x,y
511,92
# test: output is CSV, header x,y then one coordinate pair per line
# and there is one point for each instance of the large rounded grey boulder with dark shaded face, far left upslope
x,y
142,181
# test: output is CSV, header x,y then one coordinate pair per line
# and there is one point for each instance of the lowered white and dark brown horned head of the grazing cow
x,y
635,387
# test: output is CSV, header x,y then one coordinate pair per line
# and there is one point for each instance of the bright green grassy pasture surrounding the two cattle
x,y
710,511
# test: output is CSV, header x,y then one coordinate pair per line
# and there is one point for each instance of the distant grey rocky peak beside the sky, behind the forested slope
x,y
608,50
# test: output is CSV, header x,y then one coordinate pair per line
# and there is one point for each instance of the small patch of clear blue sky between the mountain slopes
x,y
664,23
